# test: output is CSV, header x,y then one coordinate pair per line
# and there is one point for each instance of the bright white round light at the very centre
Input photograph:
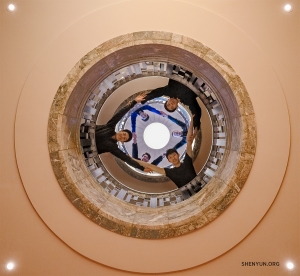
x,y
156,135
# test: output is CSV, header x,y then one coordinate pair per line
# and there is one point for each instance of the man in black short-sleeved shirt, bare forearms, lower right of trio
x,y
182,173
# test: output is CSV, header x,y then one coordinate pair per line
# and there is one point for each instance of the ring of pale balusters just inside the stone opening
x,y
90,114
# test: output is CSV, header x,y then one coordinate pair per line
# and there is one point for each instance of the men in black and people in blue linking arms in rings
x,y
182,172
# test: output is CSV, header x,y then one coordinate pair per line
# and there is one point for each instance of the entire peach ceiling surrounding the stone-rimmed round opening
x,y
262,62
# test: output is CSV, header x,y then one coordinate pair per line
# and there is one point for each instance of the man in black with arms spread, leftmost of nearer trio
x,y
107,138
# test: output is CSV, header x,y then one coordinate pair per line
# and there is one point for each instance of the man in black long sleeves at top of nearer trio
x,y
178,92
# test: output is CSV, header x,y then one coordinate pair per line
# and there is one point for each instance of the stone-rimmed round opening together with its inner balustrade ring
x,y
88,184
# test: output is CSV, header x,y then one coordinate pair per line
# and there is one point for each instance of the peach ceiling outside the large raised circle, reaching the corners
x,y
27,33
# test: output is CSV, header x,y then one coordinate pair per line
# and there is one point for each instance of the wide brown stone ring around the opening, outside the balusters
x,y
225,183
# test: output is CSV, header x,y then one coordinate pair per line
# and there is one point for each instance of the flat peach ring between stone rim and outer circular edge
x,y
41,196
